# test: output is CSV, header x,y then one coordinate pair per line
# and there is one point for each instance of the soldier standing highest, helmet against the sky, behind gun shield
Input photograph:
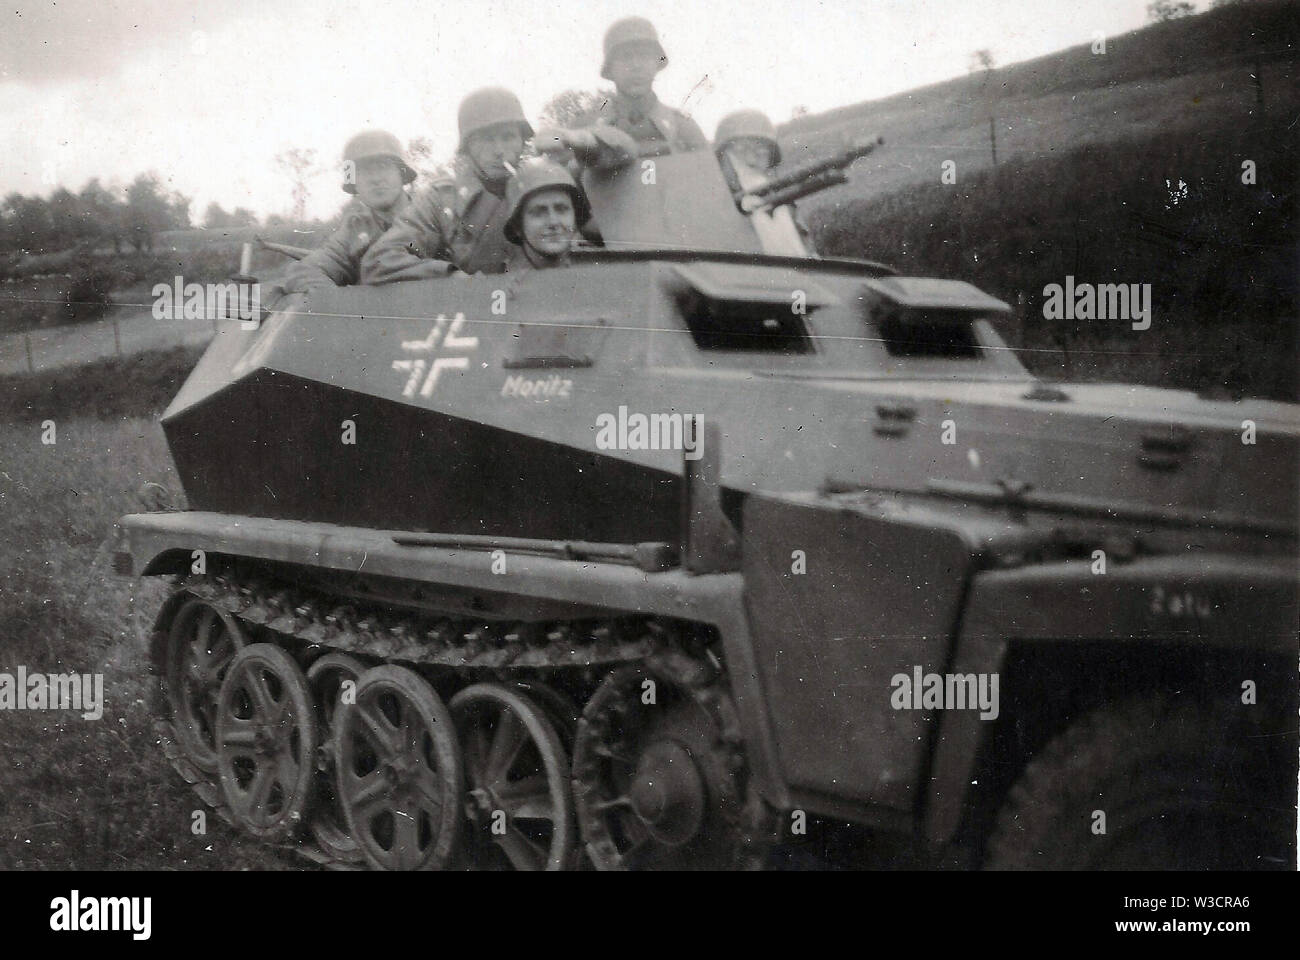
x,y
632,58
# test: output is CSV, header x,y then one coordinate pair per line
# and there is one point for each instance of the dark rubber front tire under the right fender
x,y
1152,768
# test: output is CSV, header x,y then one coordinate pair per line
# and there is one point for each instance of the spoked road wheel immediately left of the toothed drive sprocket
x,y
517,773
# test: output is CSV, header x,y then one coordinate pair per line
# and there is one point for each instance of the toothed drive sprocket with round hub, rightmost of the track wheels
x,y
660,785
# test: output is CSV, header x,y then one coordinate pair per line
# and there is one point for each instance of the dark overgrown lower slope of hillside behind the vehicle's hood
x,y
1169,210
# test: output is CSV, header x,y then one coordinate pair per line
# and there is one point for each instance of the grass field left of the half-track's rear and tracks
x,y
79,794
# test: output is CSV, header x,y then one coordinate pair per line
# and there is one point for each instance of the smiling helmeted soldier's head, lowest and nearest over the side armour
x,y
547,211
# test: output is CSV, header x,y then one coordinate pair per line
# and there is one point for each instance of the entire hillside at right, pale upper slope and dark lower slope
x,y
1136,180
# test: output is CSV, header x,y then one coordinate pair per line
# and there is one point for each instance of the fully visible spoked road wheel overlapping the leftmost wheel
x,y
267,742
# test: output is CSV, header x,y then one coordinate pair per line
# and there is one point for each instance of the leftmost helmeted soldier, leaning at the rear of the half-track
x,y
376,172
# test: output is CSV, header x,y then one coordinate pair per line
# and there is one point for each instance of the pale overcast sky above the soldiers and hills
x,y
207,94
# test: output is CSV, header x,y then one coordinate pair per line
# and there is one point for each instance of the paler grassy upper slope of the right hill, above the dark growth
x,y
1171,77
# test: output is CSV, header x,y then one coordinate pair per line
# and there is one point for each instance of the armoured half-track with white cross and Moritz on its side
x,y
670,557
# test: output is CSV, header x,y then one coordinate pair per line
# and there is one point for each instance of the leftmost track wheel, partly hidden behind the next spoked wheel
x,y
202,645
